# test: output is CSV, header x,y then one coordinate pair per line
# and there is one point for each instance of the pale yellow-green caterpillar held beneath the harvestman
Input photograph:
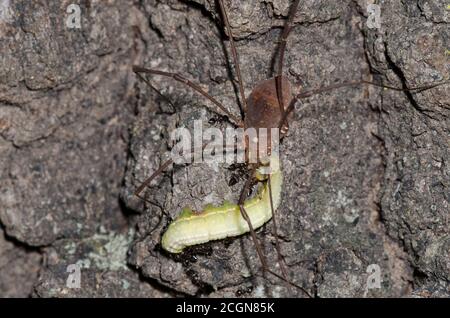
x,y
215,223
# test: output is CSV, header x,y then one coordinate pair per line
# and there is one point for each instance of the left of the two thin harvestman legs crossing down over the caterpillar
x,y
244,214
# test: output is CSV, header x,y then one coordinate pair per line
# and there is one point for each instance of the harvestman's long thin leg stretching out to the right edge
x,y
347,84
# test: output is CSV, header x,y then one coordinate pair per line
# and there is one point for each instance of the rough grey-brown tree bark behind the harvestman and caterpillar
x,y
367,177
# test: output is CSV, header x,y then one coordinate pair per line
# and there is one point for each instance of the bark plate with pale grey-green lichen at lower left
x,y
92,267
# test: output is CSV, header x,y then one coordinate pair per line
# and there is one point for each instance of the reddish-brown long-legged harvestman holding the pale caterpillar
x,y
268,106
